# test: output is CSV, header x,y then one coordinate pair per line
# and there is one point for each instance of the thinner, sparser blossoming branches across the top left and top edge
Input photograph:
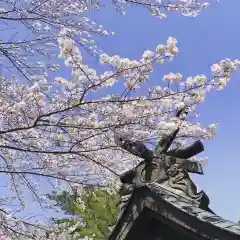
x,y
41,21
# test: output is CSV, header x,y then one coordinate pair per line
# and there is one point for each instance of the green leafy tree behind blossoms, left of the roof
x,y
95,210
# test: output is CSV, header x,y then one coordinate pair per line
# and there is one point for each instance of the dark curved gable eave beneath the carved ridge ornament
x,y
177,209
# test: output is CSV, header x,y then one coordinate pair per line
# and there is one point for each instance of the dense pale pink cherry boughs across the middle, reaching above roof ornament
x,y
57,132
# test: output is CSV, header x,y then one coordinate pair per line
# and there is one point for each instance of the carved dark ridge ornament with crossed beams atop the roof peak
x,y
169,168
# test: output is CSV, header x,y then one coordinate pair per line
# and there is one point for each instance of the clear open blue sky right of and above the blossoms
x,y
212,36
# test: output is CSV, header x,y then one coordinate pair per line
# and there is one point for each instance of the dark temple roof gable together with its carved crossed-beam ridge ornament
x,y
160,201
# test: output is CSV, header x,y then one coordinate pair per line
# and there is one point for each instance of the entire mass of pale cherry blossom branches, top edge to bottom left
x,y
57,130
